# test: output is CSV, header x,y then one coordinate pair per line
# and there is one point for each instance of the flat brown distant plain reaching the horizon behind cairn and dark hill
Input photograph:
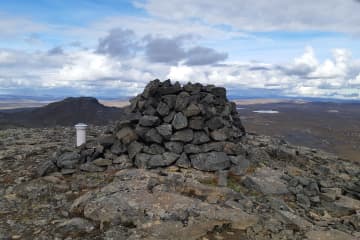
x,y
333,127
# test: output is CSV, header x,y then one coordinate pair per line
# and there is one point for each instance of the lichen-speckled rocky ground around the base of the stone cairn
x,y
280,192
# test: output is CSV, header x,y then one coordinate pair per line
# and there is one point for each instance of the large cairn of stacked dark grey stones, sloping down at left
x,y
188,126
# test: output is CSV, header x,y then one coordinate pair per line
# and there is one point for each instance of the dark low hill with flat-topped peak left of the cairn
x,y
66,112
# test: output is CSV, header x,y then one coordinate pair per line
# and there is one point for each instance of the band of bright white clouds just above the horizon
x,y
88,72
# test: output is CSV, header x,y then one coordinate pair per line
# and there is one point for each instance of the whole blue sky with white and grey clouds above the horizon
x,y
111,48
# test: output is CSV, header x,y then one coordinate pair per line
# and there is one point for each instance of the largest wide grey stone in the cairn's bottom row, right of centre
x,y
212,161
